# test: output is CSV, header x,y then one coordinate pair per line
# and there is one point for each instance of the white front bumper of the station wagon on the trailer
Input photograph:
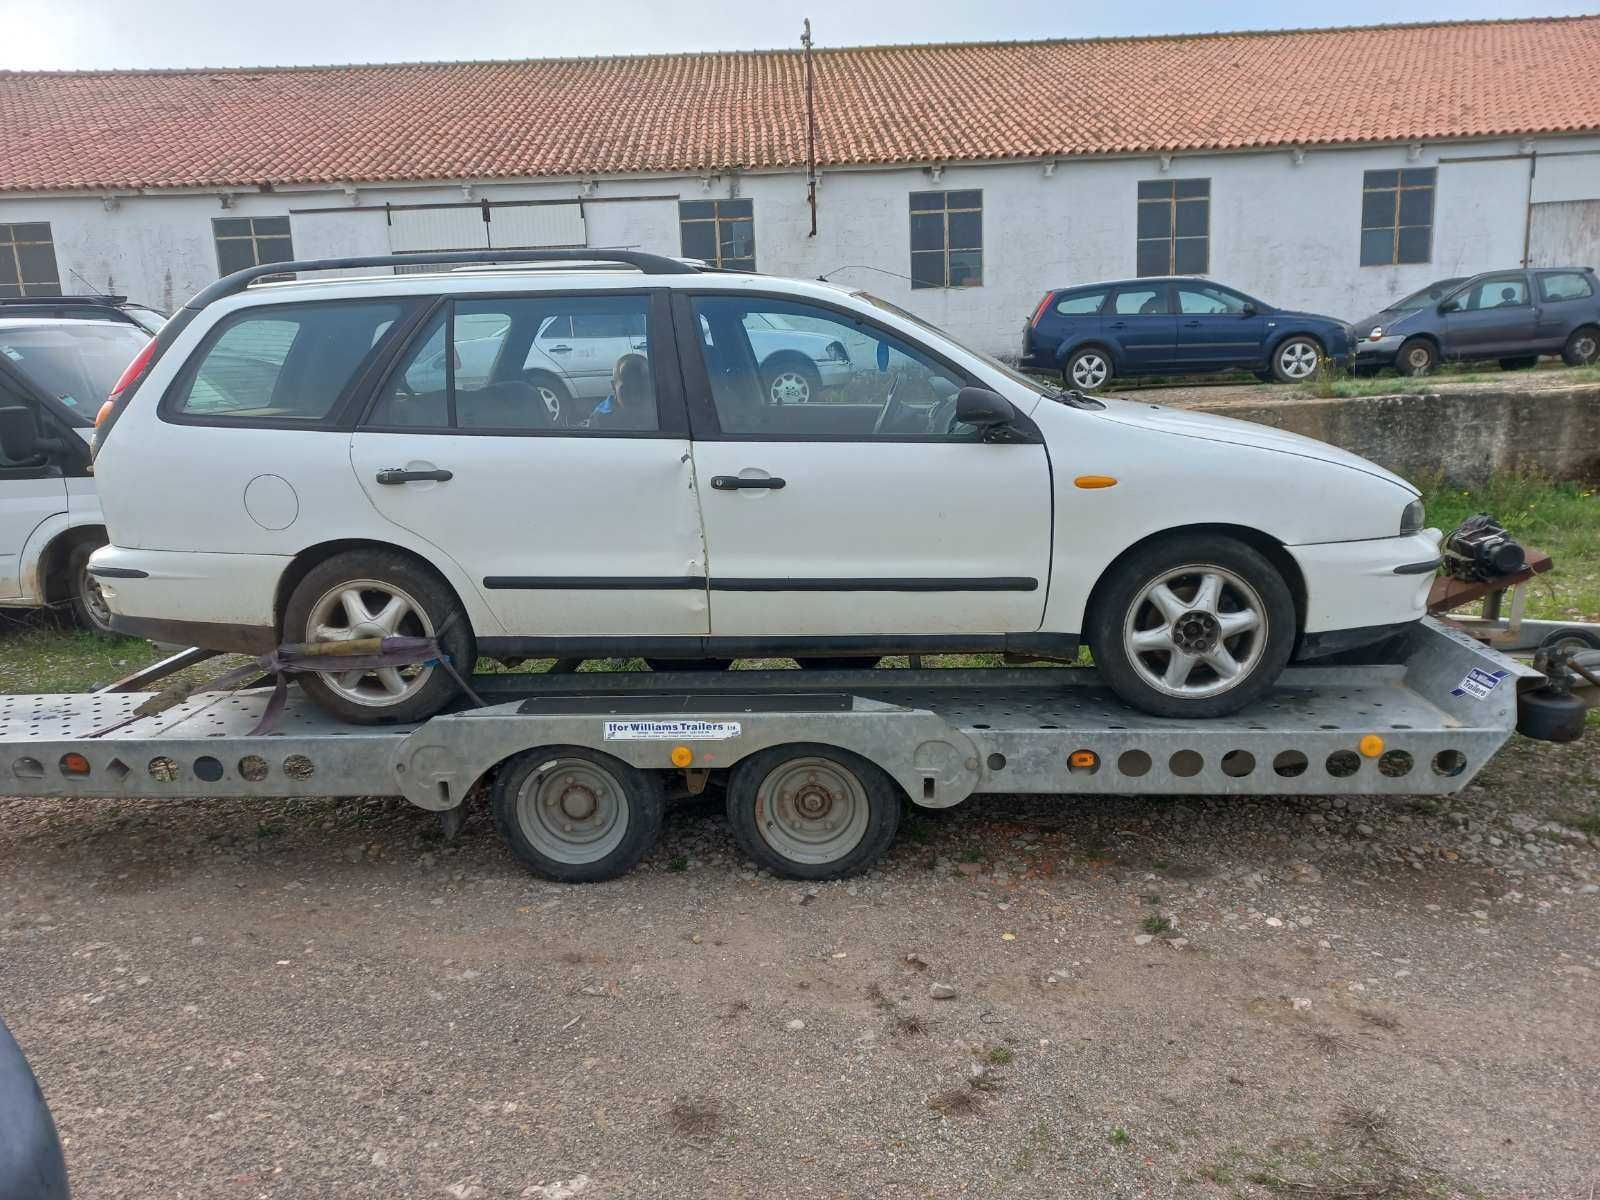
x,y
1366,585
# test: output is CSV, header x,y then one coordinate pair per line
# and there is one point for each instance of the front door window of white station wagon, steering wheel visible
x,y
785,369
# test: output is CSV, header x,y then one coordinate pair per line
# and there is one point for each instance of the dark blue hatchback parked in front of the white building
x,y
1177,326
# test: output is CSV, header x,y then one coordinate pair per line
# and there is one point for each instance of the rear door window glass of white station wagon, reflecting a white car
x,y
529,364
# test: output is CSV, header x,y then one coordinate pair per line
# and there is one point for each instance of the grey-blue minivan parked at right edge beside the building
x,y
1513,316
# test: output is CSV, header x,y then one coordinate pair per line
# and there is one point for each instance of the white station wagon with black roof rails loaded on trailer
x,y
367,457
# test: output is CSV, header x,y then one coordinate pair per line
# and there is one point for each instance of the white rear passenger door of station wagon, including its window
x,y
570,527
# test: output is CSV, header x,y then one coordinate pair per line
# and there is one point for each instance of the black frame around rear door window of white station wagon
x,y
671,414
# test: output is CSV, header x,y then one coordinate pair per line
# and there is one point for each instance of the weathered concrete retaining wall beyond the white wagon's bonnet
x,y
1460,436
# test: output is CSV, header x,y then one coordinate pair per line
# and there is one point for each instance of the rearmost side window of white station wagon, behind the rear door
x,y
284,362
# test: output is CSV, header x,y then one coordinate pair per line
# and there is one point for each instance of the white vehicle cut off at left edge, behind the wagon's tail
x,y
55,374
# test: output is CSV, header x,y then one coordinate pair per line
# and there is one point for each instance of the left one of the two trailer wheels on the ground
x,y
577,815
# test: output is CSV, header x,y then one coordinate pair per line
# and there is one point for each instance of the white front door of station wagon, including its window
x,y
871,514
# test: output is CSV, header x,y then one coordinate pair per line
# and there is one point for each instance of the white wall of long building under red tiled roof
x,y
1282,230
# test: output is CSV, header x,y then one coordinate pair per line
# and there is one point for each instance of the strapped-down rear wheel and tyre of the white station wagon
x,y
380,594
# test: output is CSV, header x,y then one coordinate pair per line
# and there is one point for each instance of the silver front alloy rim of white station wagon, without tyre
x,y
1196,631
